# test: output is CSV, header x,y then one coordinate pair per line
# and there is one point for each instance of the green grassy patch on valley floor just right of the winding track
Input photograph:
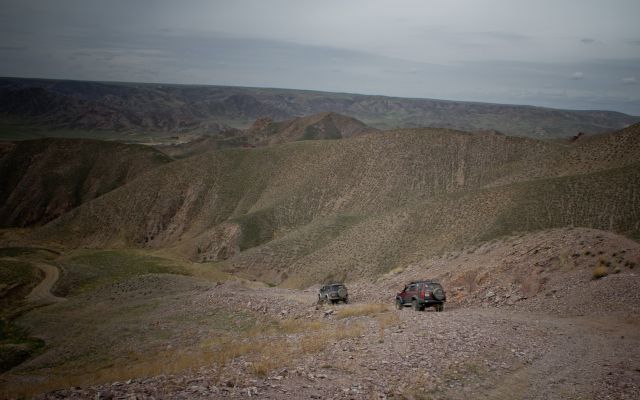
x,y
86,270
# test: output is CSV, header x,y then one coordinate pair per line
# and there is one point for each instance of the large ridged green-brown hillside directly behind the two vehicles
x,y
307,211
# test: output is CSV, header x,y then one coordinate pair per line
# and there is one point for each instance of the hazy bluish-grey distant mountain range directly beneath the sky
x,y
132,107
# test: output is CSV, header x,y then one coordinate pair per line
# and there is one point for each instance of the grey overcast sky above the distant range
x,y
579,54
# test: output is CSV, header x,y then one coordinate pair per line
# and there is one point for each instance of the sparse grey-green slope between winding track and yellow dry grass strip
x,y
127,322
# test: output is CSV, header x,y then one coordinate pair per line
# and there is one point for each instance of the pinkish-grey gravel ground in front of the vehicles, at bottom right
x,y
456,354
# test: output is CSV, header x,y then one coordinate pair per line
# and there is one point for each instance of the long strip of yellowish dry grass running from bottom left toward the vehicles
x,y
266,347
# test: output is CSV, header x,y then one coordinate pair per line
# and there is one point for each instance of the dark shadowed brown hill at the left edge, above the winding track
x,y
43,179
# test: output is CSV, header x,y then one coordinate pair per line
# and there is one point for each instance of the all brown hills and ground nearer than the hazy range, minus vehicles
x,y
148,276
